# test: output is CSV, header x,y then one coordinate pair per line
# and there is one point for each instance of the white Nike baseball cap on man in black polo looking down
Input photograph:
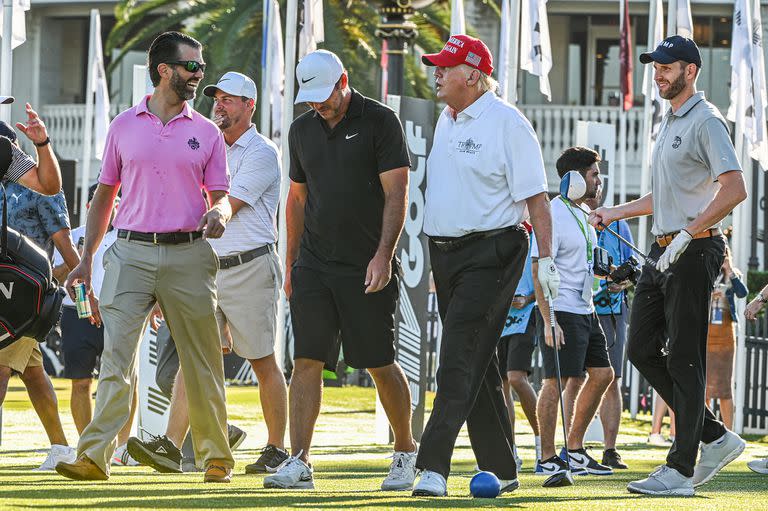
x,y
317,74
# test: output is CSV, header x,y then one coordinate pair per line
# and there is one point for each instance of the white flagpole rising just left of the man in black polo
x,y
290,72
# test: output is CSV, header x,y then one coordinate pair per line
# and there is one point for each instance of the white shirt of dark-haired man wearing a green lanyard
x,y
570,232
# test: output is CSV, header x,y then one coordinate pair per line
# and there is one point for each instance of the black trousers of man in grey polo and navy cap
x,y
668,342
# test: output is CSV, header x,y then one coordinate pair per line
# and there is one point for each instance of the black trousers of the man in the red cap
x,y
475,285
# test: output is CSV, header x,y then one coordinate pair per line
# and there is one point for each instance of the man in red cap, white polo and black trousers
x,y
485,167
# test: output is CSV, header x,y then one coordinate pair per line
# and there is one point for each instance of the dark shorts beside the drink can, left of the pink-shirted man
x,y
81,344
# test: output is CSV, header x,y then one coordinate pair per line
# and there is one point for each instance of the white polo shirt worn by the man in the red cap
x,y
482,167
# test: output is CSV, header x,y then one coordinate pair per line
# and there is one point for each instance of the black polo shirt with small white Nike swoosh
x,y
341,167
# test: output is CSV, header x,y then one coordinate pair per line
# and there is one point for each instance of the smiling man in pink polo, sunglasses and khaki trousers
x,y
163,154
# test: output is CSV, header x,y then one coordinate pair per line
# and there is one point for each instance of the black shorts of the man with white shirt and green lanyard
x,y
585,346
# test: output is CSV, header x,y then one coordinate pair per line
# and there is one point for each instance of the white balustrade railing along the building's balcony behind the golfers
x,y
555,126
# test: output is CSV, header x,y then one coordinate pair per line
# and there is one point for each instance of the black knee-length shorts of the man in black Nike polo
x,y
329,311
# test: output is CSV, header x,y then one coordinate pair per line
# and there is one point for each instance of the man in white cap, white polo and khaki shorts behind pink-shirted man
x,y
248,281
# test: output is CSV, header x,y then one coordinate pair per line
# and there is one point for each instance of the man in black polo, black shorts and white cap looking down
x,y
346,208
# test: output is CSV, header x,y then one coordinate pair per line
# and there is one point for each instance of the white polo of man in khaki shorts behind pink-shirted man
x,y
254,165
